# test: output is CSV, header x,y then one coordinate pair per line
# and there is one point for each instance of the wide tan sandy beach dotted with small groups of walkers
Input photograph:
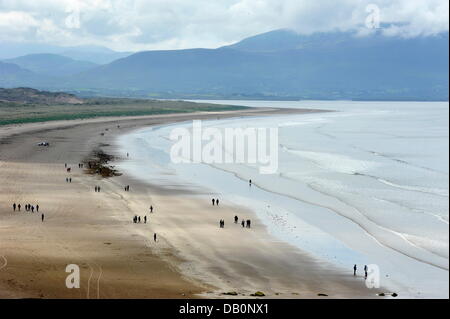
x,y
192,257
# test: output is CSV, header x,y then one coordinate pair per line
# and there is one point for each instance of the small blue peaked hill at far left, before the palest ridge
x,y
51,64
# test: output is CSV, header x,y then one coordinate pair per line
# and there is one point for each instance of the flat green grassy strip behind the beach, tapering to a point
x,y
15,113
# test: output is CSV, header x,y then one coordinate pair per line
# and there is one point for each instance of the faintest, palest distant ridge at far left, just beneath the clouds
x,y
90,53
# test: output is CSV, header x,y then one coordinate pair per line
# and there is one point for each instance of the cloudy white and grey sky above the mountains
x,y
131,25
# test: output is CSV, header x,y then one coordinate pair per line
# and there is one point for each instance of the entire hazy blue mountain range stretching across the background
x,y
280,64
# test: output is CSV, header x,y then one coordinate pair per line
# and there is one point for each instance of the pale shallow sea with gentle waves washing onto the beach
x,y
366,184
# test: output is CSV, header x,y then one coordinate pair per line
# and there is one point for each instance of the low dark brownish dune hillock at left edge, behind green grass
x,y
28,95
